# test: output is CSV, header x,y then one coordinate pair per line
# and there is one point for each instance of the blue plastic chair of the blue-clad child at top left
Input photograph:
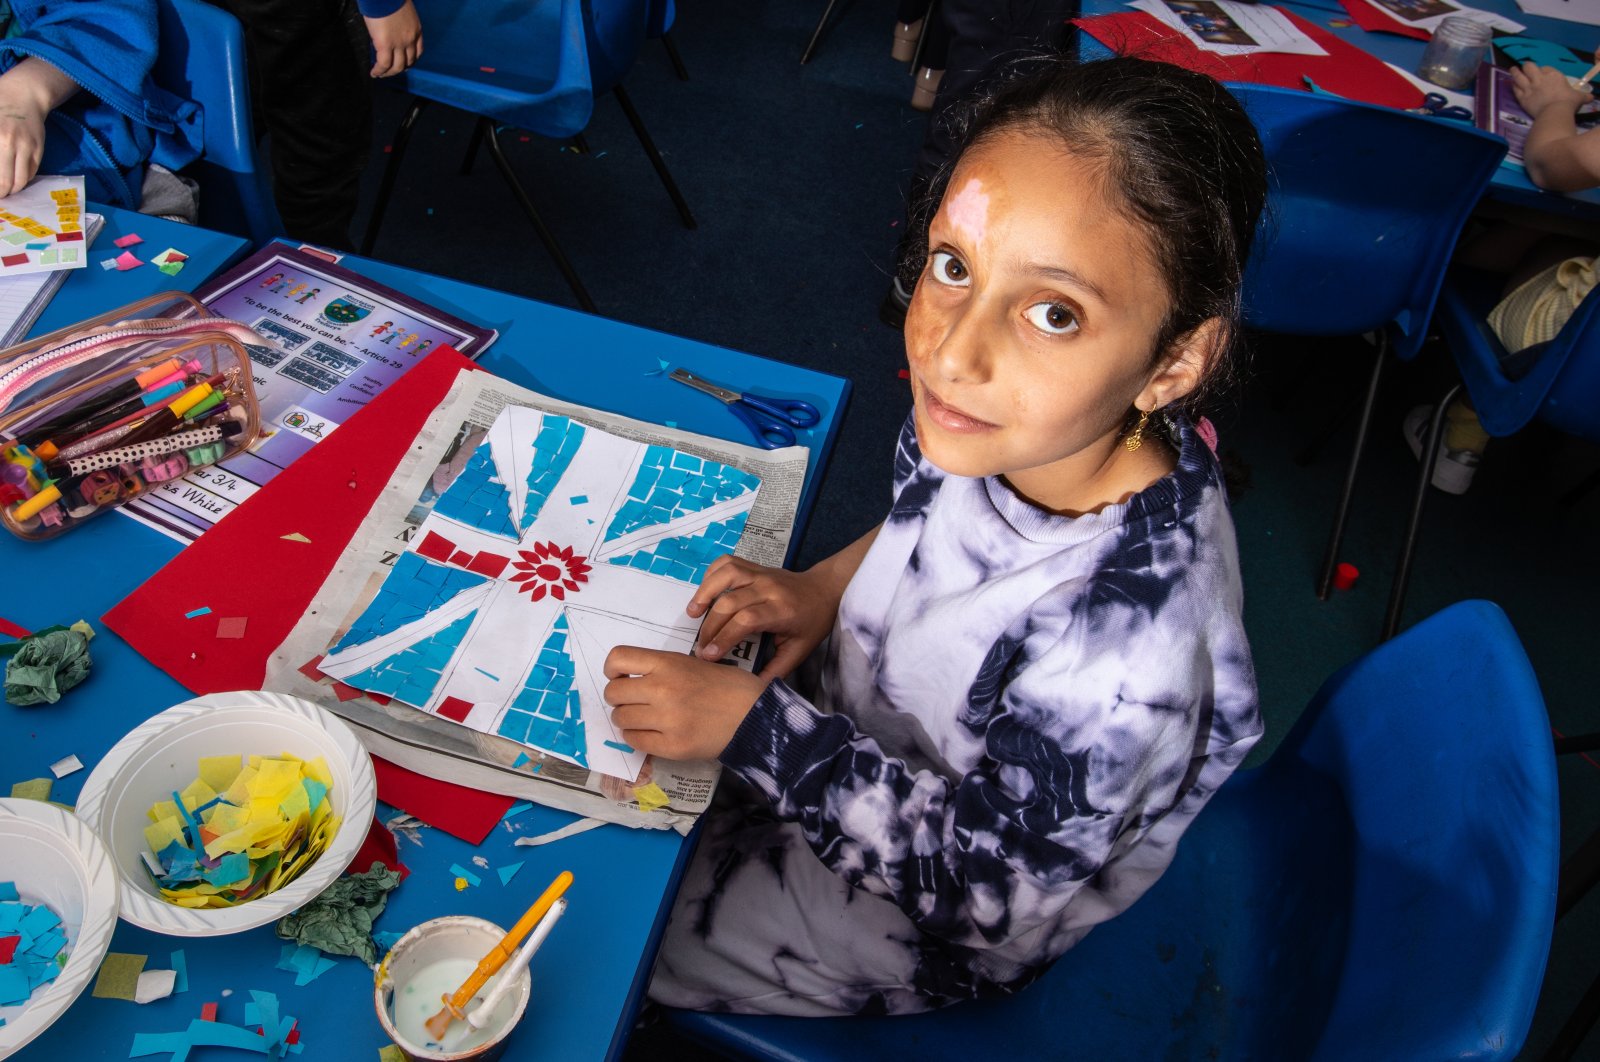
x,y
202,58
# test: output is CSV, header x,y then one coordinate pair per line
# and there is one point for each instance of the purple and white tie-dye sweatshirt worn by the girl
x,y
1018,714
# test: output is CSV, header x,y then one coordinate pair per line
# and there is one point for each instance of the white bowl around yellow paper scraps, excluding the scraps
x,y
162,757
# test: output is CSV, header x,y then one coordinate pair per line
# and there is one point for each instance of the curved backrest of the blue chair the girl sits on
x,y
1442,749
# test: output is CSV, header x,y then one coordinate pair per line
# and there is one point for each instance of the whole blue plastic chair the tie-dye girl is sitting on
x,y
1382,888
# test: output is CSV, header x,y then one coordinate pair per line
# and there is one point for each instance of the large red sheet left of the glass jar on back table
x,y
1346,71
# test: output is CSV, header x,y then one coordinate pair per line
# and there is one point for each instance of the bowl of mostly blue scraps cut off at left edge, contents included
x,y
58,909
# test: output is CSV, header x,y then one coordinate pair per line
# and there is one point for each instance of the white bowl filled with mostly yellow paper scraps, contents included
x,y
230,812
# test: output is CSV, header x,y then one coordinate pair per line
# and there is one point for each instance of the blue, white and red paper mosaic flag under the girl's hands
x,y
554,545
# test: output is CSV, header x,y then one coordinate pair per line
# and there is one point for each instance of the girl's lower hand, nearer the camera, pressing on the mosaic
x,y
676,706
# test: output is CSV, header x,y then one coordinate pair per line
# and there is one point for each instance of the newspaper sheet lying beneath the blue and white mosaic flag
x,y
457,754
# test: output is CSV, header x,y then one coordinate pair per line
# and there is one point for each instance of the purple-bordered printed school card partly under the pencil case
x,y
332,343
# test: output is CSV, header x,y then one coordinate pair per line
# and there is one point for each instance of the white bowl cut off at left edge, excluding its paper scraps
x,y
57,861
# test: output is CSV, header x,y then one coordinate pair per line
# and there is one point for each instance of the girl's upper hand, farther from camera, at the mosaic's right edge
x,y
740,599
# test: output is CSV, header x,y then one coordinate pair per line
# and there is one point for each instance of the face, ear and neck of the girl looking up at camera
x,y
1033,330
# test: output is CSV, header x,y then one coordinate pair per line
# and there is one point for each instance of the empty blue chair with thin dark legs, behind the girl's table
x,y
529,65
